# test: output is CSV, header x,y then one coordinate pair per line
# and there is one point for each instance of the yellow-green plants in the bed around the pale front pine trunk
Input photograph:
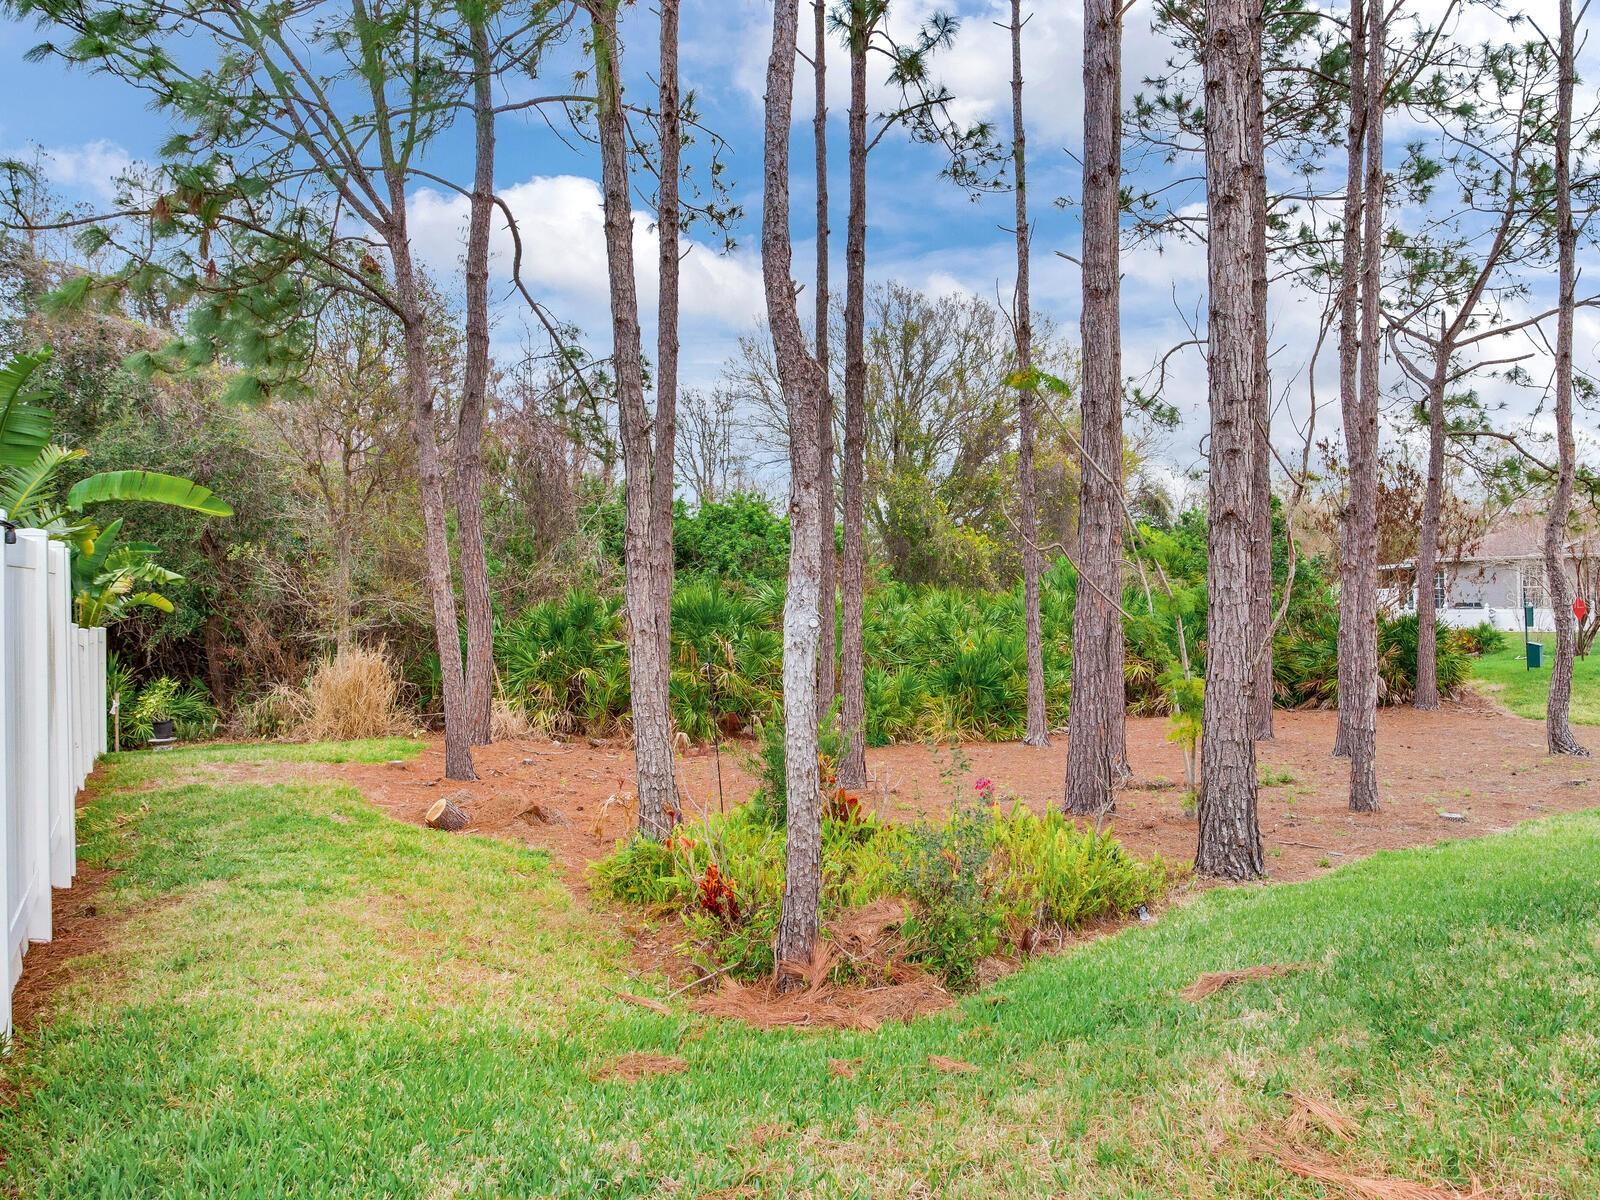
x,y
977,882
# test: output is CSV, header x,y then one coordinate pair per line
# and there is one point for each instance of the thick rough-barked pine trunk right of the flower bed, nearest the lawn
x,y
1230,838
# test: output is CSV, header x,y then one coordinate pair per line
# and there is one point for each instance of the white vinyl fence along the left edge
x,y
52,730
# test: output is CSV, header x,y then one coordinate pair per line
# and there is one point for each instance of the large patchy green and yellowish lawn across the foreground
x,y
306,999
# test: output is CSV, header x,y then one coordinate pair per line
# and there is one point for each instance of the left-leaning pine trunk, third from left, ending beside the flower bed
x,y
647,590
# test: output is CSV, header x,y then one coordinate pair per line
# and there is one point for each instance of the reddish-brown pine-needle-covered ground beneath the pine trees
x,y
1482,767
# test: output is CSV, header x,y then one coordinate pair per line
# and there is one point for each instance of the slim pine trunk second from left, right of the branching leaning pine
x,y
470,422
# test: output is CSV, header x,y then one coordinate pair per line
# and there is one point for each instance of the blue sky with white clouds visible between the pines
x,y
924,231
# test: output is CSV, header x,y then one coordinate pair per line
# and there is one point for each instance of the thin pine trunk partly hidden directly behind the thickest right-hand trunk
x,y
1262,476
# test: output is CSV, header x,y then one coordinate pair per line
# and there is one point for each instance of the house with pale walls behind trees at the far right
x,y
1495,578
